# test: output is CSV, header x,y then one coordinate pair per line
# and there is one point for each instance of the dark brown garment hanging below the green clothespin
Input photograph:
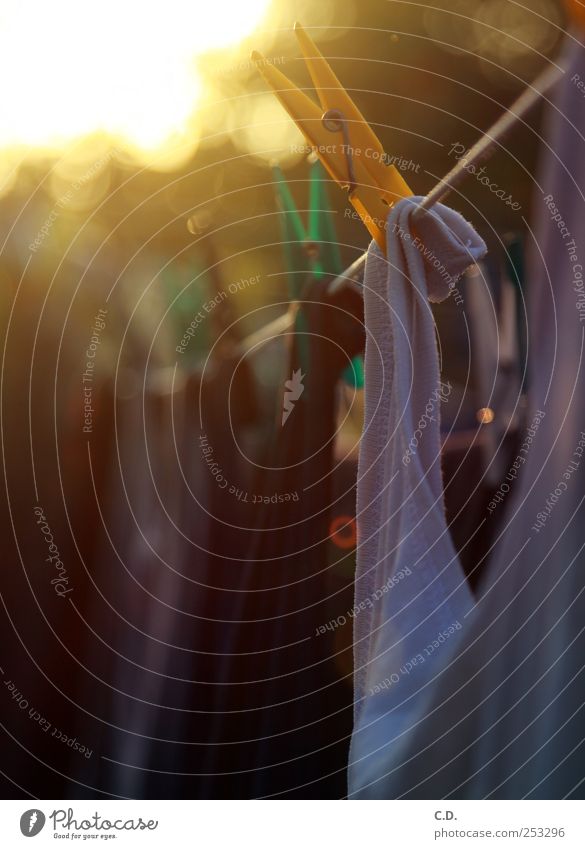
x,y
283,716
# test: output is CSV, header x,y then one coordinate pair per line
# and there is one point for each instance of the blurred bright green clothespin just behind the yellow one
x,y
311,253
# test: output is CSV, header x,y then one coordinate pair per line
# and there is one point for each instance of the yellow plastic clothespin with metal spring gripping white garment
x,y
340,136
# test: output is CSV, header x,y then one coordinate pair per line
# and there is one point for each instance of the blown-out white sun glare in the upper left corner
x,y
70,69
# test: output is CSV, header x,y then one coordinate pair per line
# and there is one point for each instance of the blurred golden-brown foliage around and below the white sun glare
x,y
426,75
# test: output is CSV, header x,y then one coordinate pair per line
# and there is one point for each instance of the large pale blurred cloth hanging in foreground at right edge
x,y
504,717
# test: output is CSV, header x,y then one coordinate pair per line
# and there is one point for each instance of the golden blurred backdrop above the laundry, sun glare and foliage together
x,y
146,141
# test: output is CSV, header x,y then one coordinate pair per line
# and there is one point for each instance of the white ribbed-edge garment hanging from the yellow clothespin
x,y
410,588
